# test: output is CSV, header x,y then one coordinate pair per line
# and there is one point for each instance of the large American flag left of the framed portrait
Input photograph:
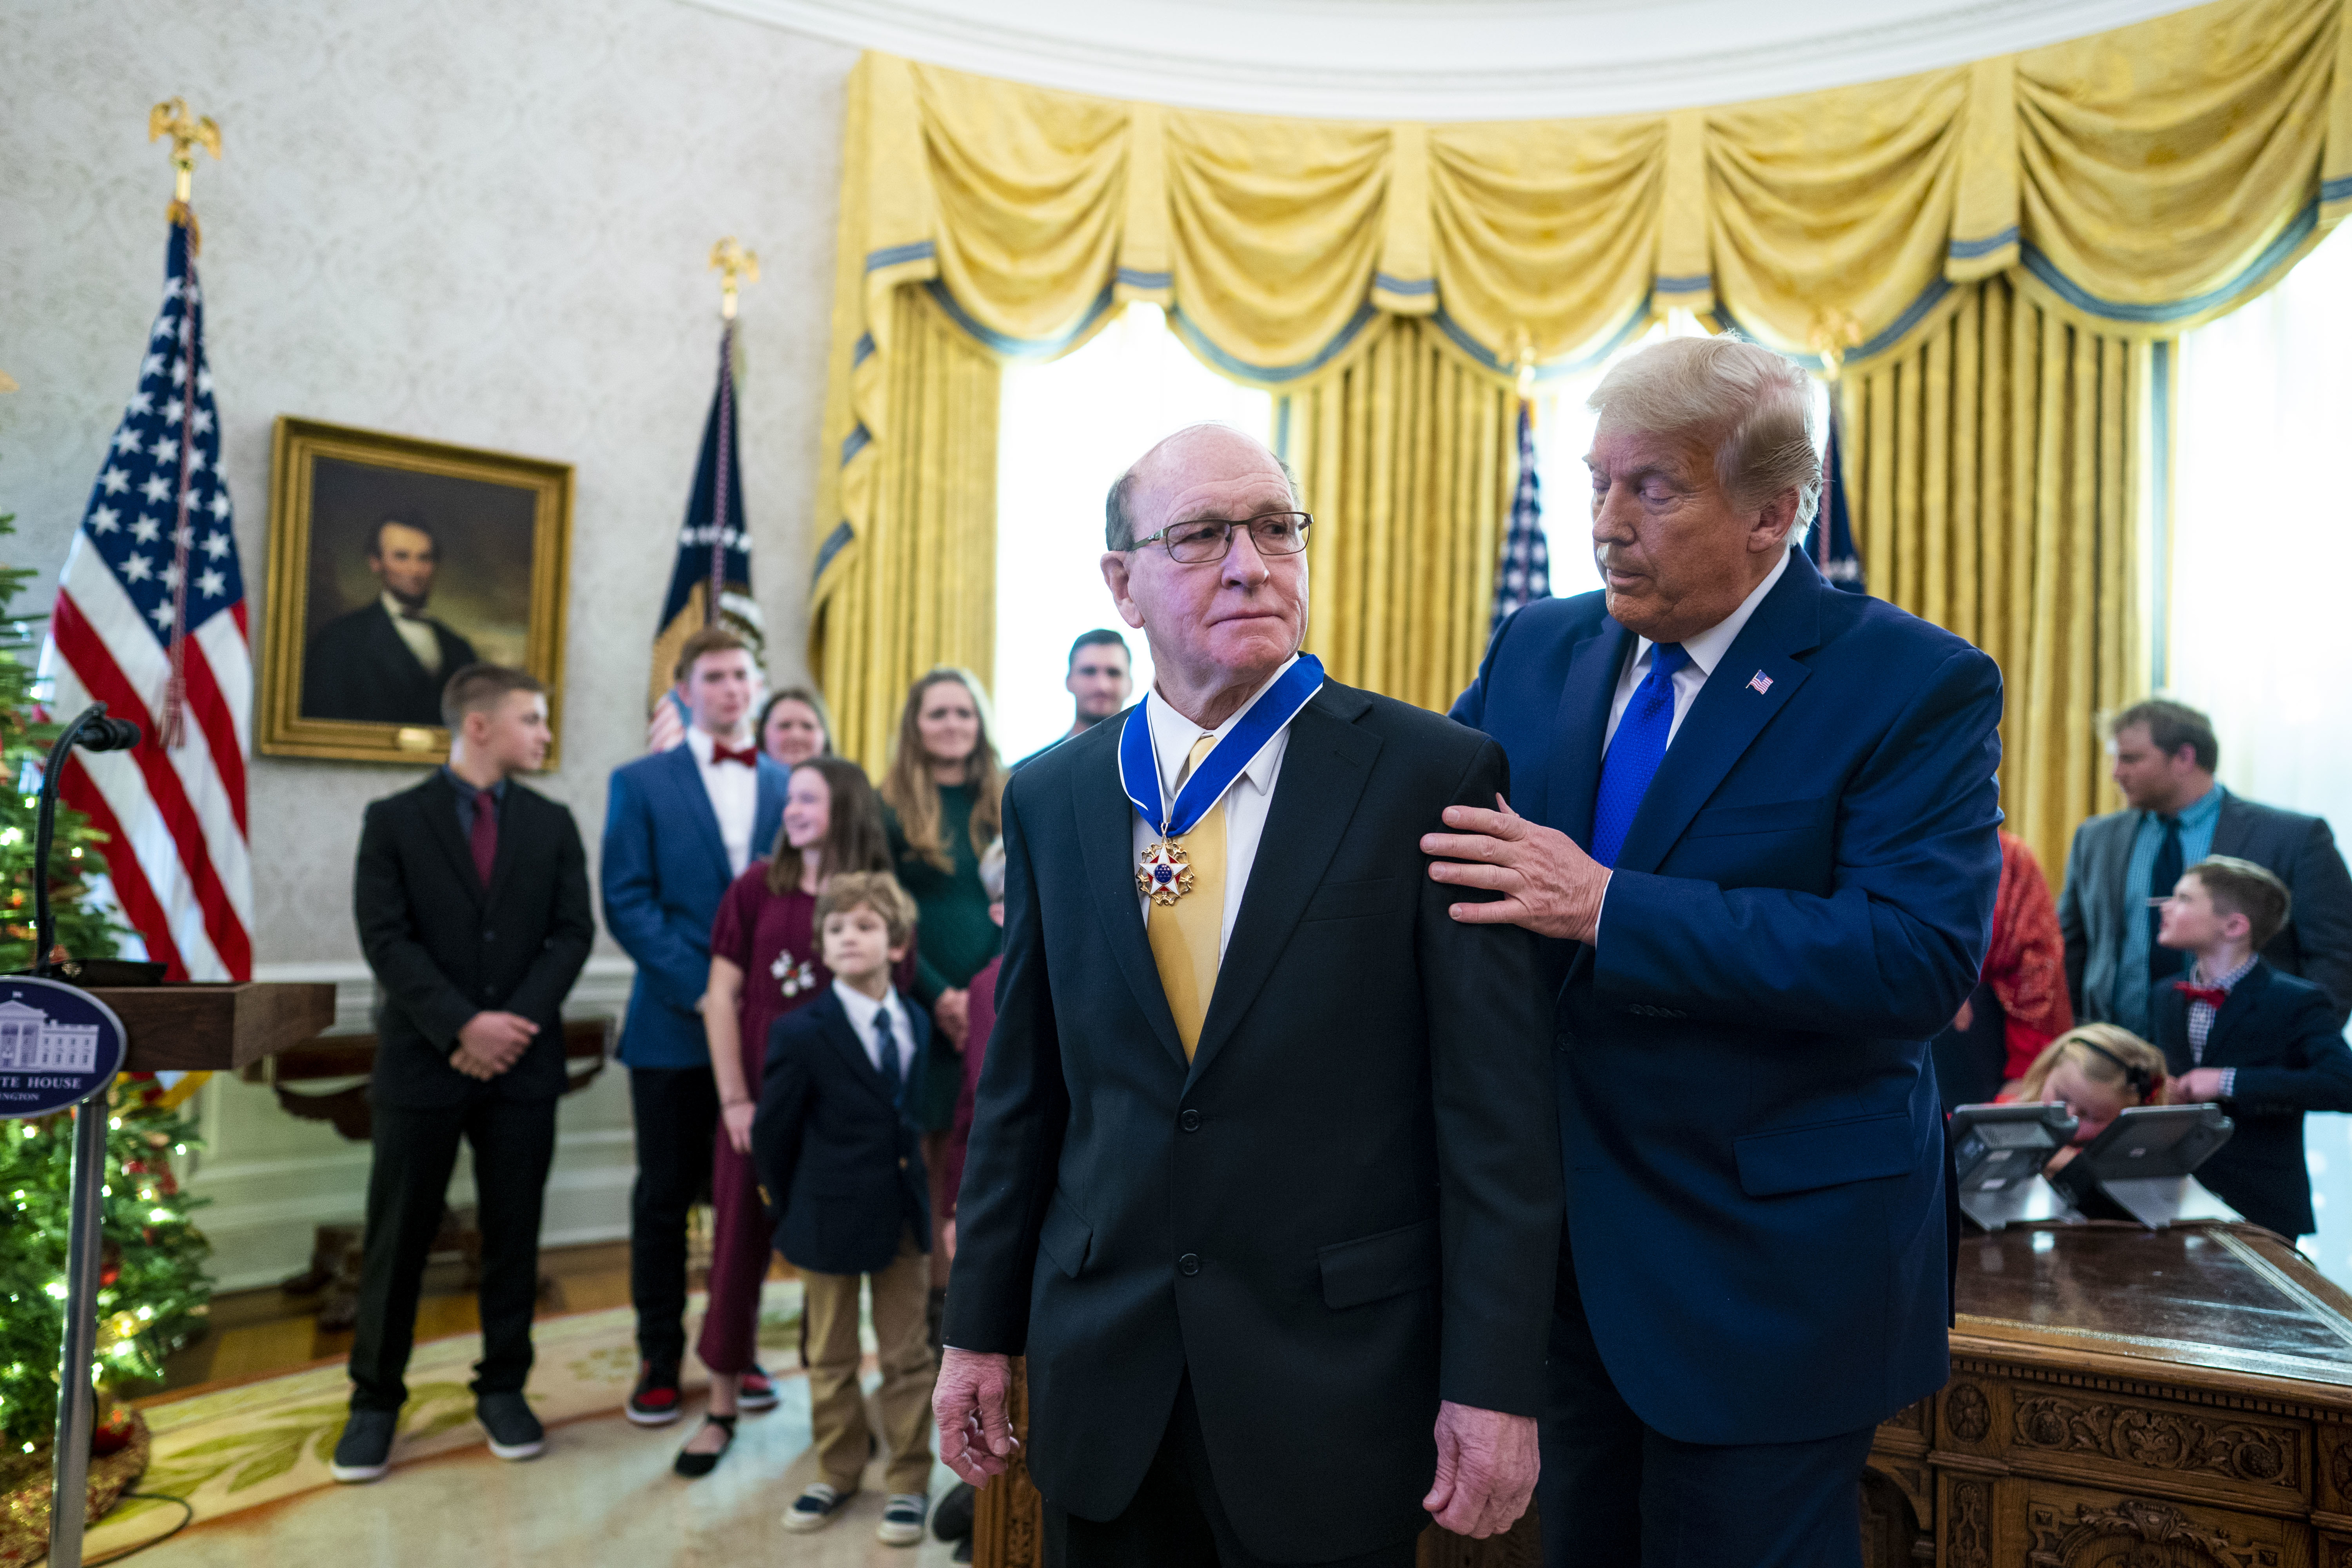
x,y
152,622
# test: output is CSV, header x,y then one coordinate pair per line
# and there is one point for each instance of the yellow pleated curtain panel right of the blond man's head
x,y
1993,485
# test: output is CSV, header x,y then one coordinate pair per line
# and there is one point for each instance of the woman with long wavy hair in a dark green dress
x,y
944,803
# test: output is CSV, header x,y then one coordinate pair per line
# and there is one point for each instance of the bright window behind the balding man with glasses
x,y
1067,434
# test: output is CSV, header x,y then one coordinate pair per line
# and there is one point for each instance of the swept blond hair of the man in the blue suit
x,y
1744,398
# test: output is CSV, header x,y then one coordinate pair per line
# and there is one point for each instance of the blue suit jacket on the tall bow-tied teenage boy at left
x,y
662,878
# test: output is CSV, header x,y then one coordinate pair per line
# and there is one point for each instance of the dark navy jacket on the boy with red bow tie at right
x,y
2290,1054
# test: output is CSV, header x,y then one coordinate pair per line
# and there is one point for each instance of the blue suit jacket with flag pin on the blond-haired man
x,y
1749,1120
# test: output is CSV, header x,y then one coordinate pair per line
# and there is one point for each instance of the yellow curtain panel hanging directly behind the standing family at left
x,y
918,587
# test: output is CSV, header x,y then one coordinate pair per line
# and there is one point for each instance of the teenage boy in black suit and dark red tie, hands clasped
x,y
472,899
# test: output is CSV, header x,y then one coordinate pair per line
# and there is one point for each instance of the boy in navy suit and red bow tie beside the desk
x,y
2257,1040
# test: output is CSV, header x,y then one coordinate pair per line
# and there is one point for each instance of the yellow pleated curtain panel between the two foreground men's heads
x,y
1408,464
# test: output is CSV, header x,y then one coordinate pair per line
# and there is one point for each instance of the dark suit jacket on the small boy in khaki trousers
x,y
838,1158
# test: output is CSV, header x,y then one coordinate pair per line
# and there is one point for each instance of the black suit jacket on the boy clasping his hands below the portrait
x,y
448,949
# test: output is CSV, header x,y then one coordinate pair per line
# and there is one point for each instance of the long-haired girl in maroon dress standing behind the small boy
x,y
766,965
